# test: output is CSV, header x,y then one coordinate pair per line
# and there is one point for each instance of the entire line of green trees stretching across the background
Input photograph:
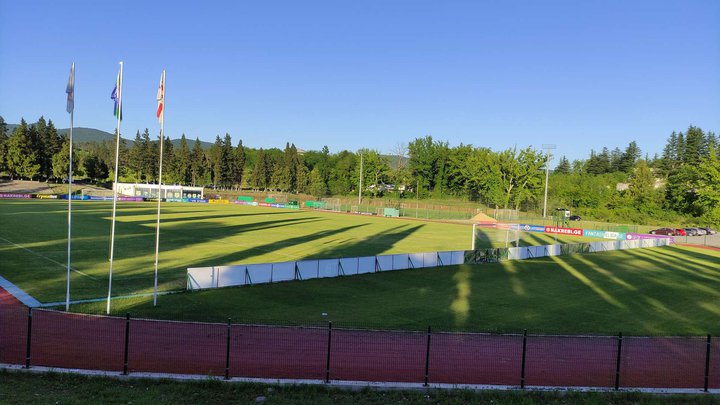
x,y
614,185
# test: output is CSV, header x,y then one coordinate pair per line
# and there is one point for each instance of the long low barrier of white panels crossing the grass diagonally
x,y
249,274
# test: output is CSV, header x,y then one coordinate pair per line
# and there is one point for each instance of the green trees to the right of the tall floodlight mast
x,y
681,183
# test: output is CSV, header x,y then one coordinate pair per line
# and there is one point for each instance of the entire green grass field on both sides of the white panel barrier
x,y
652,291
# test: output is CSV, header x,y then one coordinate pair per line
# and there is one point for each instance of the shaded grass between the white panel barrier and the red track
x,y
660,291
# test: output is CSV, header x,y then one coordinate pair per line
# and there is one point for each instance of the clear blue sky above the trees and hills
x,y
352,74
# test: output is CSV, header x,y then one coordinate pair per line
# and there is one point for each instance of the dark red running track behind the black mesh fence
x,y
64,340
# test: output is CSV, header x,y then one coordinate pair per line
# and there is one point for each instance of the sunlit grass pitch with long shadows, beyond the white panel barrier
x,y
33,242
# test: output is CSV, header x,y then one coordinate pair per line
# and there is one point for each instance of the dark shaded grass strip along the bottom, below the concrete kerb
x,y
55,388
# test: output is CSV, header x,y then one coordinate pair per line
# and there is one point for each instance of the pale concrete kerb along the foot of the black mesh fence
x,y
350,385
